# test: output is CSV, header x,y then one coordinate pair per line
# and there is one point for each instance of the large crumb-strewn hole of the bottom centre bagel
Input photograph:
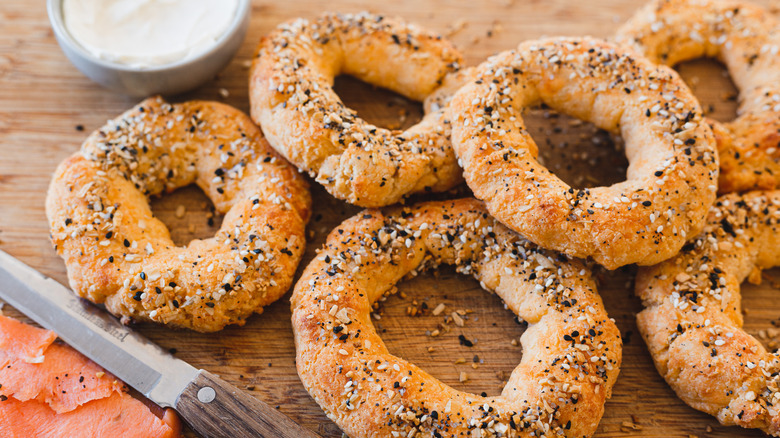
x,y
408,325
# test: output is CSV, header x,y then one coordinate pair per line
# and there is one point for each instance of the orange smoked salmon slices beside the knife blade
x,y
48,389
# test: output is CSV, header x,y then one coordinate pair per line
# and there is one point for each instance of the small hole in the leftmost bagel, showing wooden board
x,y
188,213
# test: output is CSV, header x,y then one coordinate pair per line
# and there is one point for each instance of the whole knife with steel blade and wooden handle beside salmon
x,y
211,406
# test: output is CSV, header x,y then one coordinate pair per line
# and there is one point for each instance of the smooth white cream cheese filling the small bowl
x,y
147,33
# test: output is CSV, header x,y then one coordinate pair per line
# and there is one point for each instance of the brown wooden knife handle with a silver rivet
x,y
216,409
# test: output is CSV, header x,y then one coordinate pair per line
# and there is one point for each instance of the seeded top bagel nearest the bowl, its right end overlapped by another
x,y
292,98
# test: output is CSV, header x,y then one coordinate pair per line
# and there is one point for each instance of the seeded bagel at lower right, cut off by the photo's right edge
x,y
692,320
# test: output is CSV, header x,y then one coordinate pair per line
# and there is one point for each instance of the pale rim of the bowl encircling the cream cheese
x,y
54,10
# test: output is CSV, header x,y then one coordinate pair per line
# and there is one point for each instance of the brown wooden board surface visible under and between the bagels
x,y
47,108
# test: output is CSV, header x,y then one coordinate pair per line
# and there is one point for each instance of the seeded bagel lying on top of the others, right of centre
x,y
673,165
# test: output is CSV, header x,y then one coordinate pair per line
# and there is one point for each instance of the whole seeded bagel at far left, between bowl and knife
x,y
119,254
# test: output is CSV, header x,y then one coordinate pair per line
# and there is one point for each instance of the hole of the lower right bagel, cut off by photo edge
x,y
761,309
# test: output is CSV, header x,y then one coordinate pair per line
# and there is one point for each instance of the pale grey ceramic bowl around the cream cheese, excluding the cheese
x,y
165,79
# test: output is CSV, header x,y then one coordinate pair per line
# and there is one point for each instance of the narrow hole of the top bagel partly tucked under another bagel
x,y
378,106
